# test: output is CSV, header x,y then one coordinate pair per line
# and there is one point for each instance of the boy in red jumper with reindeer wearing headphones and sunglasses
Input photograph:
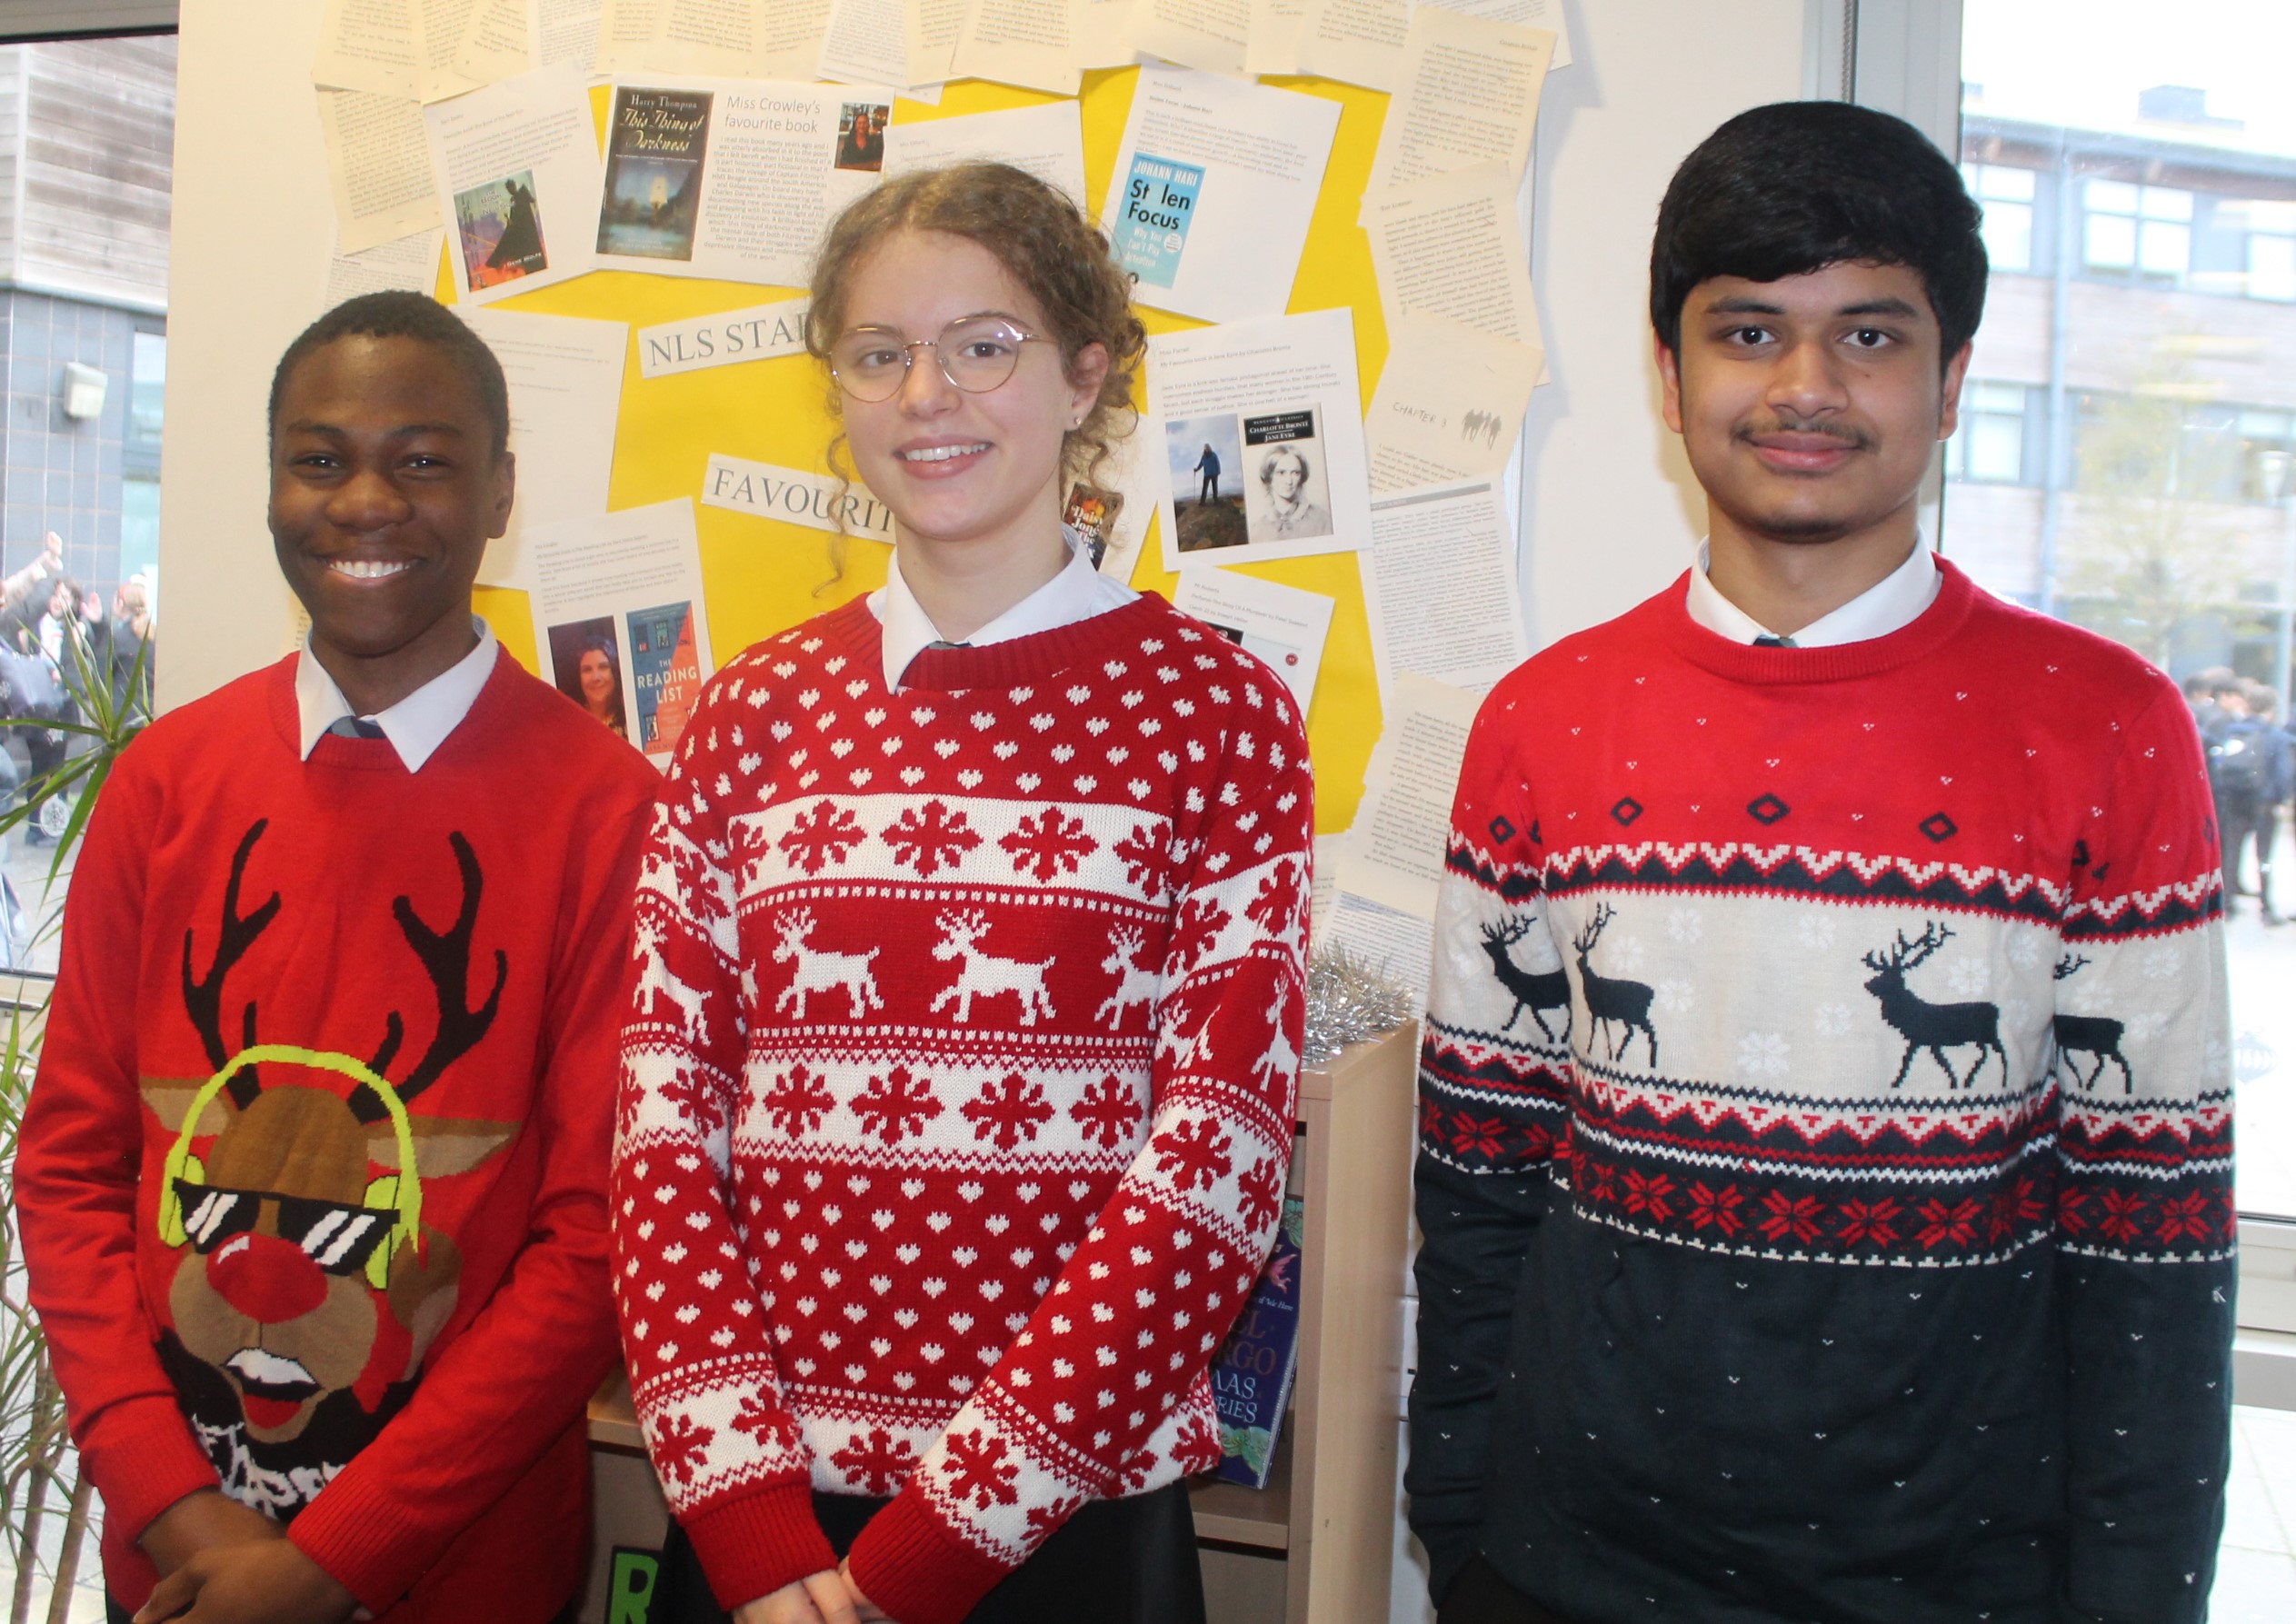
x,y
311,1180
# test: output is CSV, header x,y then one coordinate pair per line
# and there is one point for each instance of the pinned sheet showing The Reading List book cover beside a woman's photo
x,y
621,624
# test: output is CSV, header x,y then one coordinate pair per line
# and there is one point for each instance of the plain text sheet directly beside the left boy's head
x,y
566,396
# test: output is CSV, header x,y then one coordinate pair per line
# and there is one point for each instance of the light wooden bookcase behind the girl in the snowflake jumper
x,y
1331,1503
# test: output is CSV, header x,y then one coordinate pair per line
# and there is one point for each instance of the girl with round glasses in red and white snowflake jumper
x,y
959,1074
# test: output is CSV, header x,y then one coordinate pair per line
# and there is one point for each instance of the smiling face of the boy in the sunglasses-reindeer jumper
x,y
385,495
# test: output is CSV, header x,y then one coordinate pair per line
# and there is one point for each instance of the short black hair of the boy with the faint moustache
x,y
1804,185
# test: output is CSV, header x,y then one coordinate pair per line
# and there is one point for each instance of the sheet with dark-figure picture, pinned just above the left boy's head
x,y
518,183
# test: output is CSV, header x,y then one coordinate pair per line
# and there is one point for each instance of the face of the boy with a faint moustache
x,y
1810,405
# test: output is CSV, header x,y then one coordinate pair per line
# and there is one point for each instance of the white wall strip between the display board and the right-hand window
x,y
1613,511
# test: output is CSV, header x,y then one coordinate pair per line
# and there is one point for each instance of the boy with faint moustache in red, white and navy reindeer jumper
x,y
1824,1108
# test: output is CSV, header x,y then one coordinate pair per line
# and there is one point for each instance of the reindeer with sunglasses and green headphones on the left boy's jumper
x,y
311,1287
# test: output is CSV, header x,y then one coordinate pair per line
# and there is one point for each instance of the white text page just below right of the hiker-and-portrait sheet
x,y
1441,587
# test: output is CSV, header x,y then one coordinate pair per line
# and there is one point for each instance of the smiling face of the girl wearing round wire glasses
x,y
975,472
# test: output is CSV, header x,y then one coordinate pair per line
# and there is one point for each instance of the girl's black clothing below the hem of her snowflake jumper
x,y
1112,1563
